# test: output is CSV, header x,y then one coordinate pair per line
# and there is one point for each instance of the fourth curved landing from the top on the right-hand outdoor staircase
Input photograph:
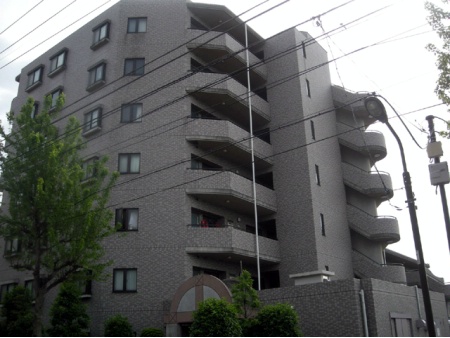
x,y
375,228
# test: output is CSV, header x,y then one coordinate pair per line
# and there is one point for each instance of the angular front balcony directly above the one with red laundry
x,y
229,190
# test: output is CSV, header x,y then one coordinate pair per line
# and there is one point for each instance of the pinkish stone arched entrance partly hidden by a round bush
x,y
186,299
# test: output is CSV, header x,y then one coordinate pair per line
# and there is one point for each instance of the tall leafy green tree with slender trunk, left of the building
x,y
58,220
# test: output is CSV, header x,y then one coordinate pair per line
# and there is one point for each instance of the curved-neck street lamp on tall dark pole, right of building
x,y
376,109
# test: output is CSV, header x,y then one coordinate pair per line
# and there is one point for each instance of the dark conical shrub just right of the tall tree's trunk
x,y
68,313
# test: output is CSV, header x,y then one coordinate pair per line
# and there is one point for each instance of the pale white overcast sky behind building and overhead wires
x,y
394,64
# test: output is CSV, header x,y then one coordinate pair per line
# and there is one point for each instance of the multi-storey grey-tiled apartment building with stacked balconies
x,y
172,102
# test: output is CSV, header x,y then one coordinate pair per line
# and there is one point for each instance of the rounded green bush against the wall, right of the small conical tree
x,y
279,320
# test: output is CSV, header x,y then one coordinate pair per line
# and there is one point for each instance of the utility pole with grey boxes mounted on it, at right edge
x,y
438,171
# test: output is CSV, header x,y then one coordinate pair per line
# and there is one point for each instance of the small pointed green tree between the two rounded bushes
x,y
245,298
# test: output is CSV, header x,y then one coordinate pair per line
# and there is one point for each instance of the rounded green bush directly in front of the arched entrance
x,y
215,318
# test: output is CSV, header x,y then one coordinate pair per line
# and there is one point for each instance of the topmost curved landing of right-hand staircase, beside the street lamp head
x,y
351,103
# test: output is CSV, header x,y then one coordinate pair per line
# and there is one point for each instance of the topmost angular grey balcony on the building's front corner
x,y
224,53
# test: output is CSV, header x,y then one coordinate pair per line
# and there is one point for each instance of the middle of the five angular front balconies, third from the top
x,y
232,142
